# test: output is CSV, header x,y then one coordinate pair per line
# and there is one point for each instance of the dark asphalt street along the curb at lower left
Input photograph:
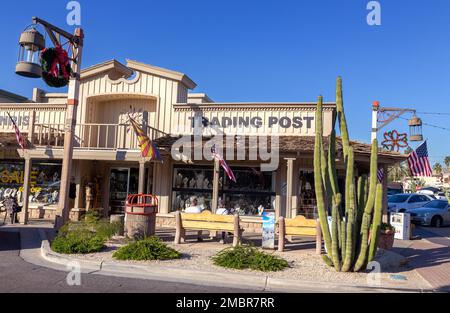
x,y
16,275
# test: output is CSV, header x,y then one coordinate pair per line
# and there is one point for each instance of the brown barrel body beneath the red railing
x,y
140,226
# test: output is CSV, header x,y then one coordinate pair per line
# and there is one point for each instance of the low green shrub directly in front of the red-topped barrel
x,y
148,249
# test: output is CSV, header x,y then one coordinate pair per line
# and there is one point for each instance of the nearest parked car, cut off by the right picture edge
x,y
435,213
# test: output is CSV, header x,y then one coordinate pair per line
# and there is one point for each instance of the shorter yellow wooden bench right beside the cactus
x,y
299,226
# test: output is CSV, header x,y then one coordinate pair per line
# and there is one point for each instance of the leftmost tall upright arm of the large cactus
x,y
318,182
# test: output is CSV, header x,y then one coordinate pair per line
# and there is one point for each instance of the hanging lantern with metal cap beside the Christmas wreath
x,y
31,42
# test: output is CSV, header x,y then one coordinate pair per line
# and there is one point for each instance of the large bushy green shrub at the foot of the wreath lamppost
x,y
84,237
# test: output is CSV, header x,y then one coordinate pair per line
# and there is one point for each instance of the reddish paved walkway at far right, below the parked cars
x,y
431,257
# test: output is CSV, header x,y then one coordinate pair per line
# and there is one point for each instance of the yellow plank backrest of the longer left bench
x,y
207,220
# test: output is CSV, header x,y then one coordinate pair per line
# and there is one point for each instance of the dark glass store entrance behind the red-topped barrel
x,y
123,182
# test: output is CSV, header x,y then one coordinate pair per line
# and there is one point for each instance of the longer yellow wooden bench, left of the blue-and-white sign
x,y
207,221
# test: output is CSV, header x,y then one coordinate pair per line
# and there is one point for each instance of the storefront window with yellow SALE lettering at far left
x,y
45,181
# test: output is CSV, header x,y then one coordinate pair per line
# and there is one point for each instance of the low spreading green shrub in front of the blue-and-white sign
x,y
246,257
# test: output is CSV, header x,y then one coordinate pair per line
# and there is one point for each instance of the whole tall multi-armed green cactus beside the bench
x,y
356,217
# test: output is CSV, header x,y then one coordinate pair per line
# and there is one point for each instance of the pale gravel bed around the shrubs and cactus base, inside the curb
x,y
305,265
